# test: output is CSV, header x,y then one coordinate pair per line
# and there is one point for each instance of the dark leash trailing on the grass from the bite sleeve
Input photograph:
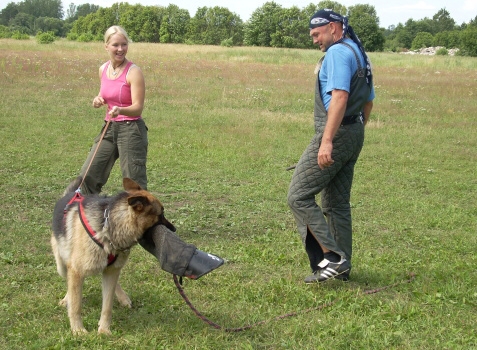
x,y
411,278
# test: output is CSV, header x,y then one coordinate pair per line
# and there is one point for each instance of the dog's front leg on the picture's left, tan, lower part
x,y
74,298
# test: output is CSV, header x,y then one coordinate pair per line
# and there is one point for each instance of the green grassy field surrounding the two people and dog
x,y
224,123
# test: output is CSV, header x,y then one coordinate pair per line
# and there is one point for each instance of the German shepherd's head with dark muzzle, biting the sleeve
x,y
148,209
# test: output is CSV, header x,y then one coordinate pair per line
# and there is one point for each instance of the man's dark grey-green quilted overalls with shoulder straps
x,y
334,183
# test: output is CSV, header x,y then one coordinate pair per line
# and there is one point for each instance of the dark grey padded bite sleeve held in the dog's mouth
x,y
175,256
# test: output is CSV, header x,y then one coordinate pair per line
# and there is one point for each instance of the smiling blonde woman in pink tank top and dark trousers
x,y
122,91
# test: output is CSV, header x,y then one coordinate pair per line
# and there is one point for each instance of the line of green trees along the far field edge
x,y
270,25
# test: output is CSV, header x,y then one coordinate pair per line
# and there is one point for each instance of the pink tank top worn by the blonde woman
x,y
117,92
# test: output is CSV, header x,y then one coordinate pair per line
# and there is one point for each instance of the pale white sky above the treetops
x,y
389,12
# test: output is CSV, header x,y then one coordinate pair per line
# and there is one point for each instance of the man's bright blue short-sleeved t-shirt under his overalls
x,y
337,70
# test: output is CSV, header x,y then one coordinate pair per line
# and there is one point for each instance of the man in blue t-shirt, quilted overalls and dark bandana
x,y
343,103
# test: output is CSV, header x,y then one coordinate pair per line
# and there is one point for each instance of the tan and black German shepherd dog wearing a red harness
x,y
93,234
